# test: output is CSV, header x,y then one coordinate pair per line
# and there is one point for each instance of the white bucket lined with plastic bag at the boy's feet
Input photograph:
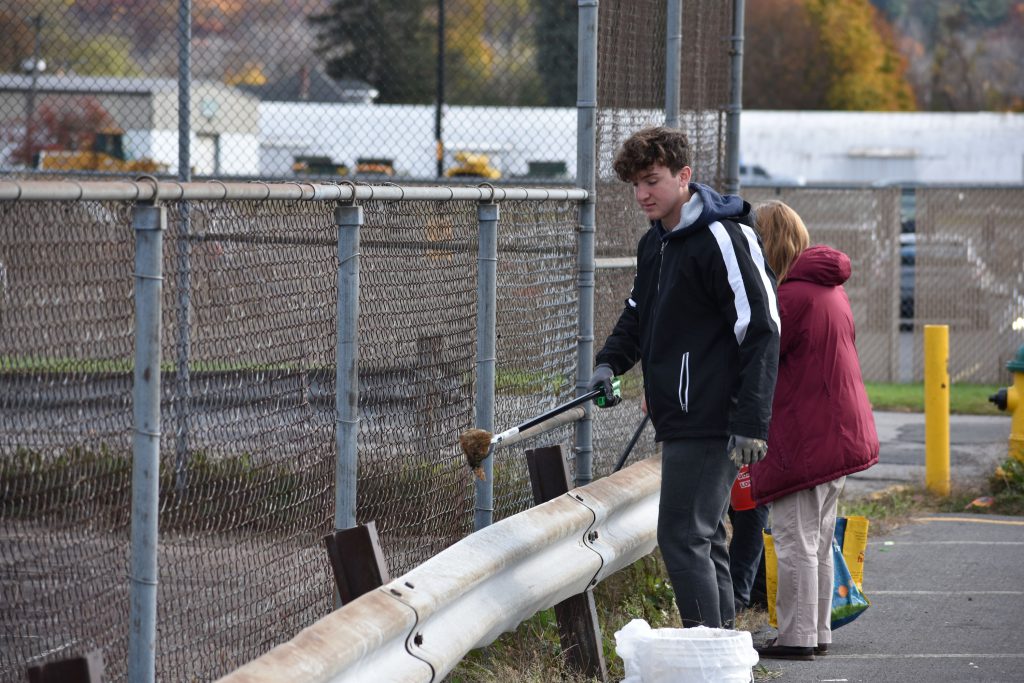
x,y
671,656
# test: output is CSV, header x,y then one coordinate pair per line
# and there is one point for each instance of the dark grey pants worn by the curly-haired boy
x,y
697,480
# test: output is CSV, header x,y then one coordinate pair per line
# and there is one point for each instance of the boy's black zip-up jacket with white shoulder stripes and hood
x,y
703,319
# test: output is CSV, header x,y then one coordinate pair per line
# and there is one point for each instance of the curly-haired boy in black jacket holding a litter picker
x,y
703,321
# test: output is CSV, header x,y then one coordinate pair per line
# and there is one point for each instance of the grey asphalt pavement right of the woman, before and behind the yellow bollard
x,y
947,590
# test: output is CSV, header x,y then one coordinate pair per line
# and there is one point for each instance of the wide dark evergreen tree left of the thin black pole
x,y
391,45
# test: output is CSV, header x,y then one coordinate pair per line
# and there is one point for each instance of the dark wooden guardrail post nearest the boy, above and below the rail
x,y
579,630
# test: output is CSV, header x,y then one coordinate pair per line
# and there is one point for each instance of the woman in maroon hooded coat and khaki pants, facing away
x,y
822,429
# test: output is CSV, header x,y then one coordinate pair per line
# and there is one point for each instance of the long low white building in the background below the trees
x,y
807,147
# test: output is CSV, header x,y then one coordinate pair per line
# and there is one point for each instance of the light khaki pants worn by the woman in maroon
x,y
803,526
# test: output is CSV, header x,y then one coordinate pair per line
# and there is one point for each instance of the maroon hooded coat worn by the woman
x,y
822,424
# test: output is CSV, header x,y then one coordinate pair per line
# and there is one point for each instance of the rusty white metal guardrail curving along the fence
x,y
419,626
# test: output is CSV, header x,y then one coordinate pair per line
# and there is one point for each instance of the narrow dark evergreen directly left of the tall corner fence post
x,y
558,35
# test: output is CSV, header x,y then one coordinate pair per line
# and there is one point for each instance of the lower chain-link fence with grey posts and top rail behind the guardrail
x,y
251,443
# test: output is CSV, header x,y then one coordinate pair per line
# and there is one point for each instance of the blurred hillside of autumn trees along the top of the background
x,y
802,55
